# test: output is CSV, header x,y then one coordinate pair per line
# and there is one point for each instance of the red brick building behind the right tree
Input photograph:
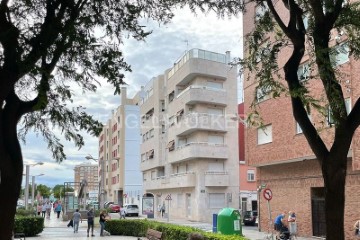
x,y
283,158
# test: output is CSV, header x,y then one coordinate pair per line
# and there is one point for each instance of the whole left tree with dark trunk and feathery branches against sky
x,y
46,48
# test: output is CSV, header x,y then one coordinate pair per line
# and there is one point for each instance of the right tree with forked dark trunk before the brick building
x,y
281,26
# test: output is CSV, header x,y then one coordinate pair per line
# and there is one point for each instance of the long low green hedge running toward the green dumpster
x,y
138,228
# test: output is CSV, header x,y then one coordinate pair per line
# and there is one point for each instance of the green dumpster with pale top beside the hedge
x,y
229,222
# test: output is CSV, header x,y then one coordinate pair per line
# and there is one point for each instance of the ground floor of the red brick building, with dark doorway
x,y
299,187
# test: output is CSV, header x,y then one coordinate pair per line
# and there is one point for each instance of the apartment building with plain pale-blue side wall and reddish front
x,y
120,178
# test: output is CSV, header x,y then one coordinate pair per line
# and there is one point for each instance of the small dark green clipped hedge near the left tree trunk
x,y
30,226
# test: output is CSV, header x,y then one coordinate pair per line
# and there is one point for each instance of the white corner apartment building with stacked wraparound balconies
x,y
189,149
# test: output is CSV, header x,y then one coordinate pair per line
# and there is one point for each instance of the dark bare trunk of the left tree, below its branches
x,y
11,168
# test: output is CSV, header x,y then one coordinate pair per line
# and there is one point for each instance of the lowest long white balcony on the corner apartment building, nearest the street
x,y
178,180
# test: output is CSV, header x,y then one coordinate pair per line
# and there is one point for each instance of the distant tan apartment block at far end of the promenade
x,y
89,173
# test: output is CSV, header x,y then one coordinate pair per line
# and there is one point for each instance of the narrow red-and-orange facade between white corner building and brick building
x,y
248,197
